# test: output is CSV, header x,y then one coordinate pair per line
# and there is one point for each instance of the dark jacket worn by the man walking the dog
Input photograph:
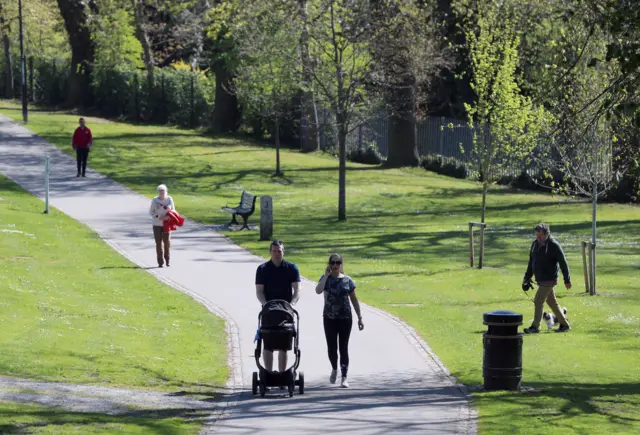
x,y
546,261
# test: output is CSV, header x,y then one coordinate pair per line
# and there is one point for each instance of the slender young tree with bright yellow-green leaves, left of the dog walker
x,y
506,124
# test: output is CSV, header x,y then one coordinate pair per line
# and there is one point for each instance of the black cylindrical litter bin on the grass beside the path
x,y
502,358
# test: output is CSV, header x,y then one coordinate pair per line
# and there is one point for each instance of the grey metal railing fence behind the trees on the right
x,y
448,138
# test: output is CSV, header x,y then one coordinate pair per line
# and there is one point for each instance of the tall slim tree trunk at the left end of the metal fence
x,y
309,109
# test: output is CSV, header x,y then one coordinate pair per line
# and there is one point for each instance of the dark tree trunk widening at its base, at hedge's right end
x,y
226,115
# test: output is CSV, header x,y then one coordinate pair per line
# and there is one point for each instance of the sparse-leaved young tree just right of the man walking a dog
x,y
581,148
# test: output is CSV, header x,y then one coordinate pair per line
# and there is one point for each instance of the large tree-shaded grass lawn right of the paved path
x,y
405,244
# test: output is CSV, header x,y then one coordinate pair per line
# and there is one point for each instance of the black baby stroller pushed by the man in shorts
x,y
279,331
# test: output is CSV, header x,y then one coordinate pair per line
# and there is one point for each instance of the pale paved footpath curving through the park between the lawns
x,y
397,385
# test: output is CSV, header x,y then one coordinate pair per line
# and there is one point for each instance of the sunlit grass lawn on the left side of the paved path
x,y
73,310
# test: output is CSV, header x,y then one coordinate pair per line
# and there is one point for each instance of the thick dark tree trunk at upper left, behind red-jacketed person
x,y
82,50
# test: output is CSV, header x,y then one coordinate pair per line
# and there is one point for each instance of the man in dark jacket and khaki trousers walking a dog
x,y
546,258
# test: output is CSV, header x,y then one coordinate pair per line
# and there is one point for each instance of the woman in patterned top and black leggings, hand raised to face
x,y
338,290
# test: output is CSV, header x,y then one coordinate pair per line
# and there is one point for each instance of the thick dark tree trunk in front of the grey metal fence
x,y
403,147
